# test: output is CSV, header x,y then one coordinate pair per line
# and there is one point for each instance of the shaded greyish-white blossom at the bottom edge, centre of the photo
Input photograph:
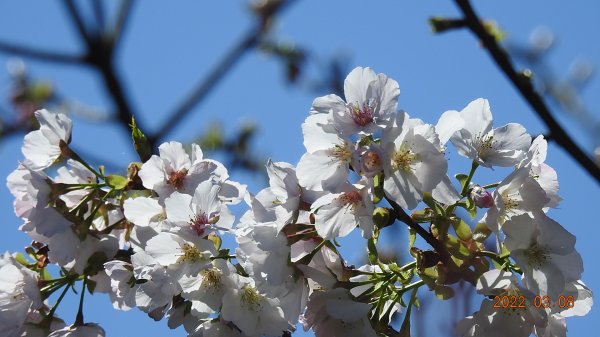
x,y
334,313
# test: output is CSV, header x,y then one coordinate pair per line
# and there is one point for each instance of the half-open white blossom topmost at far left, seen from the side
x,y
41,148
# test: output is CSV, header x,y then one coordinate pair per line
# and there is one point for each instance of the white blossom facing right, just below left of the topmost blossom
x,y
325,165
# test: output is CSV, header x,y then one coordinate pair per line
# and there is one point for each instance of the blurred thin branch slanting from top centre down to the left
x,y
249,41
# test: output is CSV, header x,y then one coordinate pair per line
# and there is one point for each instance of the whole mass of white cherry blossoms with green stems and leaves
x,y
153,238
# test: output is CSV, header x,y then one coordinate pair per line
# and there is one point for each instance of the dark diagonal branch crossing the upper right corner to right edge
x,y
525,87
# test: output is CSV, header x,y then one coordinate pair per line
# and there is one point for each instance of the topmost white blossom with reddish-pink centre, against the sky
x,y
370,99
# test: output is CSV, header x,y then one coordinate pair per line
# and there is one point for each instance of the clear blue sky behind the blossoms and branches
x,y
170,46
